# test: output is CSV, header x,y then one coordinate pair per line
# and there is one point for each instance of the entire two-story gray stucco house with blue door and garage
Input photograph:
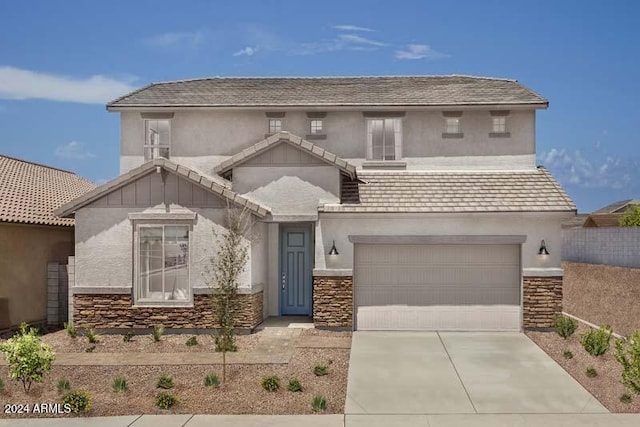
x,y
380,203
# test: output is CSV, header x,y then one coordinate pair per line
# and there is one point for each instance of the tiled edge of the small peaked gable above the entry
x,y
293,140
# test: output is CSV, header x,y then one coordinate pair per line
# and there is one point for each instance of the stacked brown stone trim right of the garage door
x,y
541,300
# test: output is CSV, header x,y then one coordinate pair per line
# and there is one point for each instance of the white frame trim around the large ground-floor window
x,y
148,302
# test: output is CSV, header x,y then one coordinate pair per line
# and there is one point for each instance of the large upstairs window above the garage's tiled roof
x,y
384,139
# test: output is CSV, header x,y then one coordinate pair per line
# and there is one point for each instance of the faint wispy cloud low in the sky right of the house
x,y
602,172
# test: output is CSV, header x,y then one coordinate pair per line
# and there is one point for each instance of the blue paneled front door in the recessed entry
x,y
295,270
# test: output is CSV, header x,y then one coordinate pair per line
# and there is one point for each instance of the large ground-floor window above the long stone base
x,y
163,263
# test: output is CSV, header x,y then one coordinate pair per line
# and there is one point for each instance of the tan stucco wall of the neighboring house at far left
x,y
25,251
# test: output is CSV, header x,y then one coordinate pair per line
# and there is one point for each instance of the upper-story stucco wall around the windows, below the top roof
x,y
201,139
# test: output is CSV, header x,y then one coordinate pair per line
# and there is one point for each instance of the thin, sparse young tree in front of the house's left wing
x,y
227,265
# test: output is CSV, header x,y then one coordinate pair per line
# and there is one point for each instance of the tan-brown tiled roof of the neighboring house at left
x,y
29,192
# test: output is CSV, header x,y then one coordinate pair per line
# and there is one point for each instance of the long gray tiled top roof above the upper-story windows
x,y
450,90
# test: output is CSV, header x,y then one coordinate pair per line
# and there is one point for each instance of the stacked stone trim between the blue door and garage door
x,y
333,302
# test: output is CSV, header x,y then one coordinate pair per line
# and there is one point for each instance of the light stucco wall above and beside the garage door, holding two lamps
x,y
536,226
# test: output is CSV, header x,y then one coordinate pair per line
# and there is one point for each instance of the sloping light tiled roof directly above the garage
x,y
473,191
